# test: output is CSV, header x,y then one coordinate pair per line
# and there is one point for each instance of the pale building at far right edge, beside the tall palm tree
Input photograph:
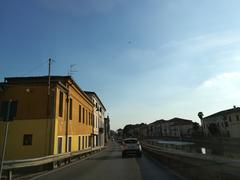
x,y
225,123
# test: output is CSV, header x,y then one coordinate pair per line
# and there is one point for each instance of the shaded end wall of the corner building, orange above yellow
x,y
31,119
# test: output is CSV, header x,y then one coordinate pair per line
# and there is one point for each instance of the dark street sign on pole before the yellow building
x,y
8,110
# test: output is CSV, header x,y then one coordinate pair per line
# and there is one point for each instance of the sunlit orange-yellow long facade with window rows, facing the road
x,y
75,128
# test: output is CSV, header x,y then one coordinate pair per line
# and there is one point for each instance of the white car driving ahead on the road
x,y
131,146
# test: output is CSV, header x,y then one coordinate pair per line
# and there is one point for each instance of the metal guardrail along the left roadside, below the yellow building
x,y
53,160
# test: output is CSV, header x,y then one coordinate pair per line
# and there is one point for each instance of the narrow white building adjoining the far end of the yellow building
x,y
98,119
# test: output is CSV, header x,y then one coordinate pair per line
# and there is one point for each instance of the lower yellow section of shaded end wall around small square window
x,y
15,148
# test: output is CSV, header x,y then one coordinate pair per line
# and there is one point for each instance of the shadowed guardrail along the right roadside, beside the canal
x,y
201,164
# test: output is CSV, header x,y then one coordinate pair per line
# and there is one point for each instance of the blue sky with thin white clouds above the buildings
x,y
147,60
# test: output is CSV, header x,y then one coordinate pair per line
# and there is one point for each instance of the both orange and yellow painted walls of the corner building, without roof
x,y
32,118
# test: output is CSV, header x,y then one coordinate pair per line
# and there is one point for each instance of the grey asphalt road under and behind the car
x,y
109,165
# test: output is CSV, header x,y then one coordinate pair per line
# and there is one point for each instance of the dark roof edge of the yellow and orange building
x,y
43,79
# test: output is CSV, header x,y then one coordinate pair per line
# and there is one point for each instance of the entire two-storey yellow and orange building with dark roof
x,y
50,119
